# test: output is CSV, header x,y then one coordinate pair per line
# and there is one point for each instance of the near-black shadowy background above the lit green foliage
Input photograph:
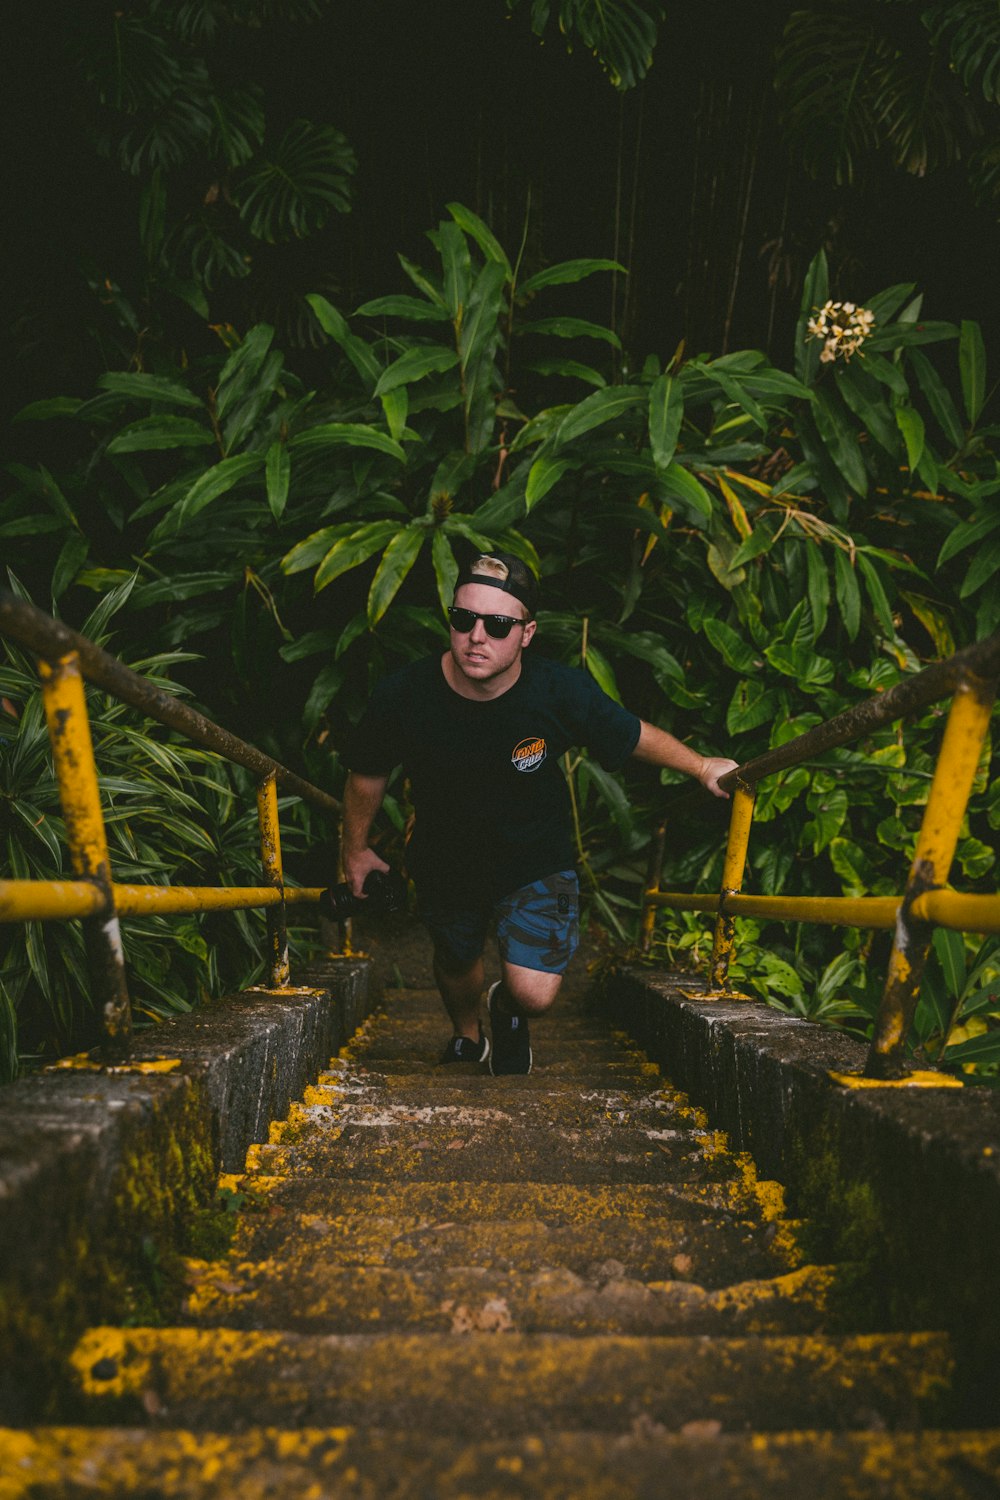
x,y
686,179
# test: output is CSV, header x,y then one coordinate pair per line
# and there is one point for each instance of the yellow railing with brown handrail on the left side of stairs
x,y
65,662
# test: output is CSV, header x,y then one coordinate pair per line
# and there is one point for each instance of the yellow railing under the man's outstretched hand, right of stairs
x,y
971,680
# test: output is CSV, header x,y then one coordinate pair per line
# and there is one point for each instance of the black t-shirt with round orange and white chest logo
x,y
493,809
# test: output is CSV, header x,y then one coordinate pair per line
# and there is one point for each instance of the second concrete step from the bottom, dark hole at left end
x,y
510,1385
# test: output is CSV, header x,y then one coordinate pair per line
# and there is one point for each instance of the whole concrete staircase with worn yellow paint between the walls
x,y
446,1285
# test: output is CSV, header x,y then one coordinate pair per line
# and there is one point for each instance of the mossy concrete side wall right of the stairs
x,y
906,1183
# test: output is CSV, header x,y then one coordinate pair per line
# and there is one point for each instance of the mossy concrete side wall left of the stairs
x,y
109,1175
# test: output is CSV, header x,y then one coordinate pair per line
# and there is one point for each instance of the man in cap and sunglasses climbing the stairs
x,y
481,733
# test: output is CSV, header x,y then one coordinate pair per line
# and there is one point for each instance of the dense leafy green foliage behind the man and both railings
x,y
732,548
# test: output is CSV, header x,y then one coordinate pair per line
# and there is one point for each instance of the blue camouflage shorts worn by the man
x,y
537,926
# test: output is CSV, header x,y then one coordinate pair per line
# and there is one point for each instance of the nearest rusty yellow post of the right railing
x,y
954,775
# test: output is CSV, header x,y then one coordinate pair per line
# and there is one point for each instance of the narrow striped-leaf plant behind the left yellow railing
x,y
173,814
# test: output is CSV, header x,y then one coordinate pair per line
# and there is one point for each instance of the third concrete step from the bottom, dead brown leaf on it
x,y
317,1295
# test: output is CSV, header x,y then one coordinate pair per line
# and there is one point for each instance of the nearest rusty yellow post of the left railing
x,y
77,778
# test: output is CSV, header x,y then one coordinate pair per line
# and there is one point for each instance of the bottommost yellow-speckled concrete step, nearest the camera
x,y
647,1462
